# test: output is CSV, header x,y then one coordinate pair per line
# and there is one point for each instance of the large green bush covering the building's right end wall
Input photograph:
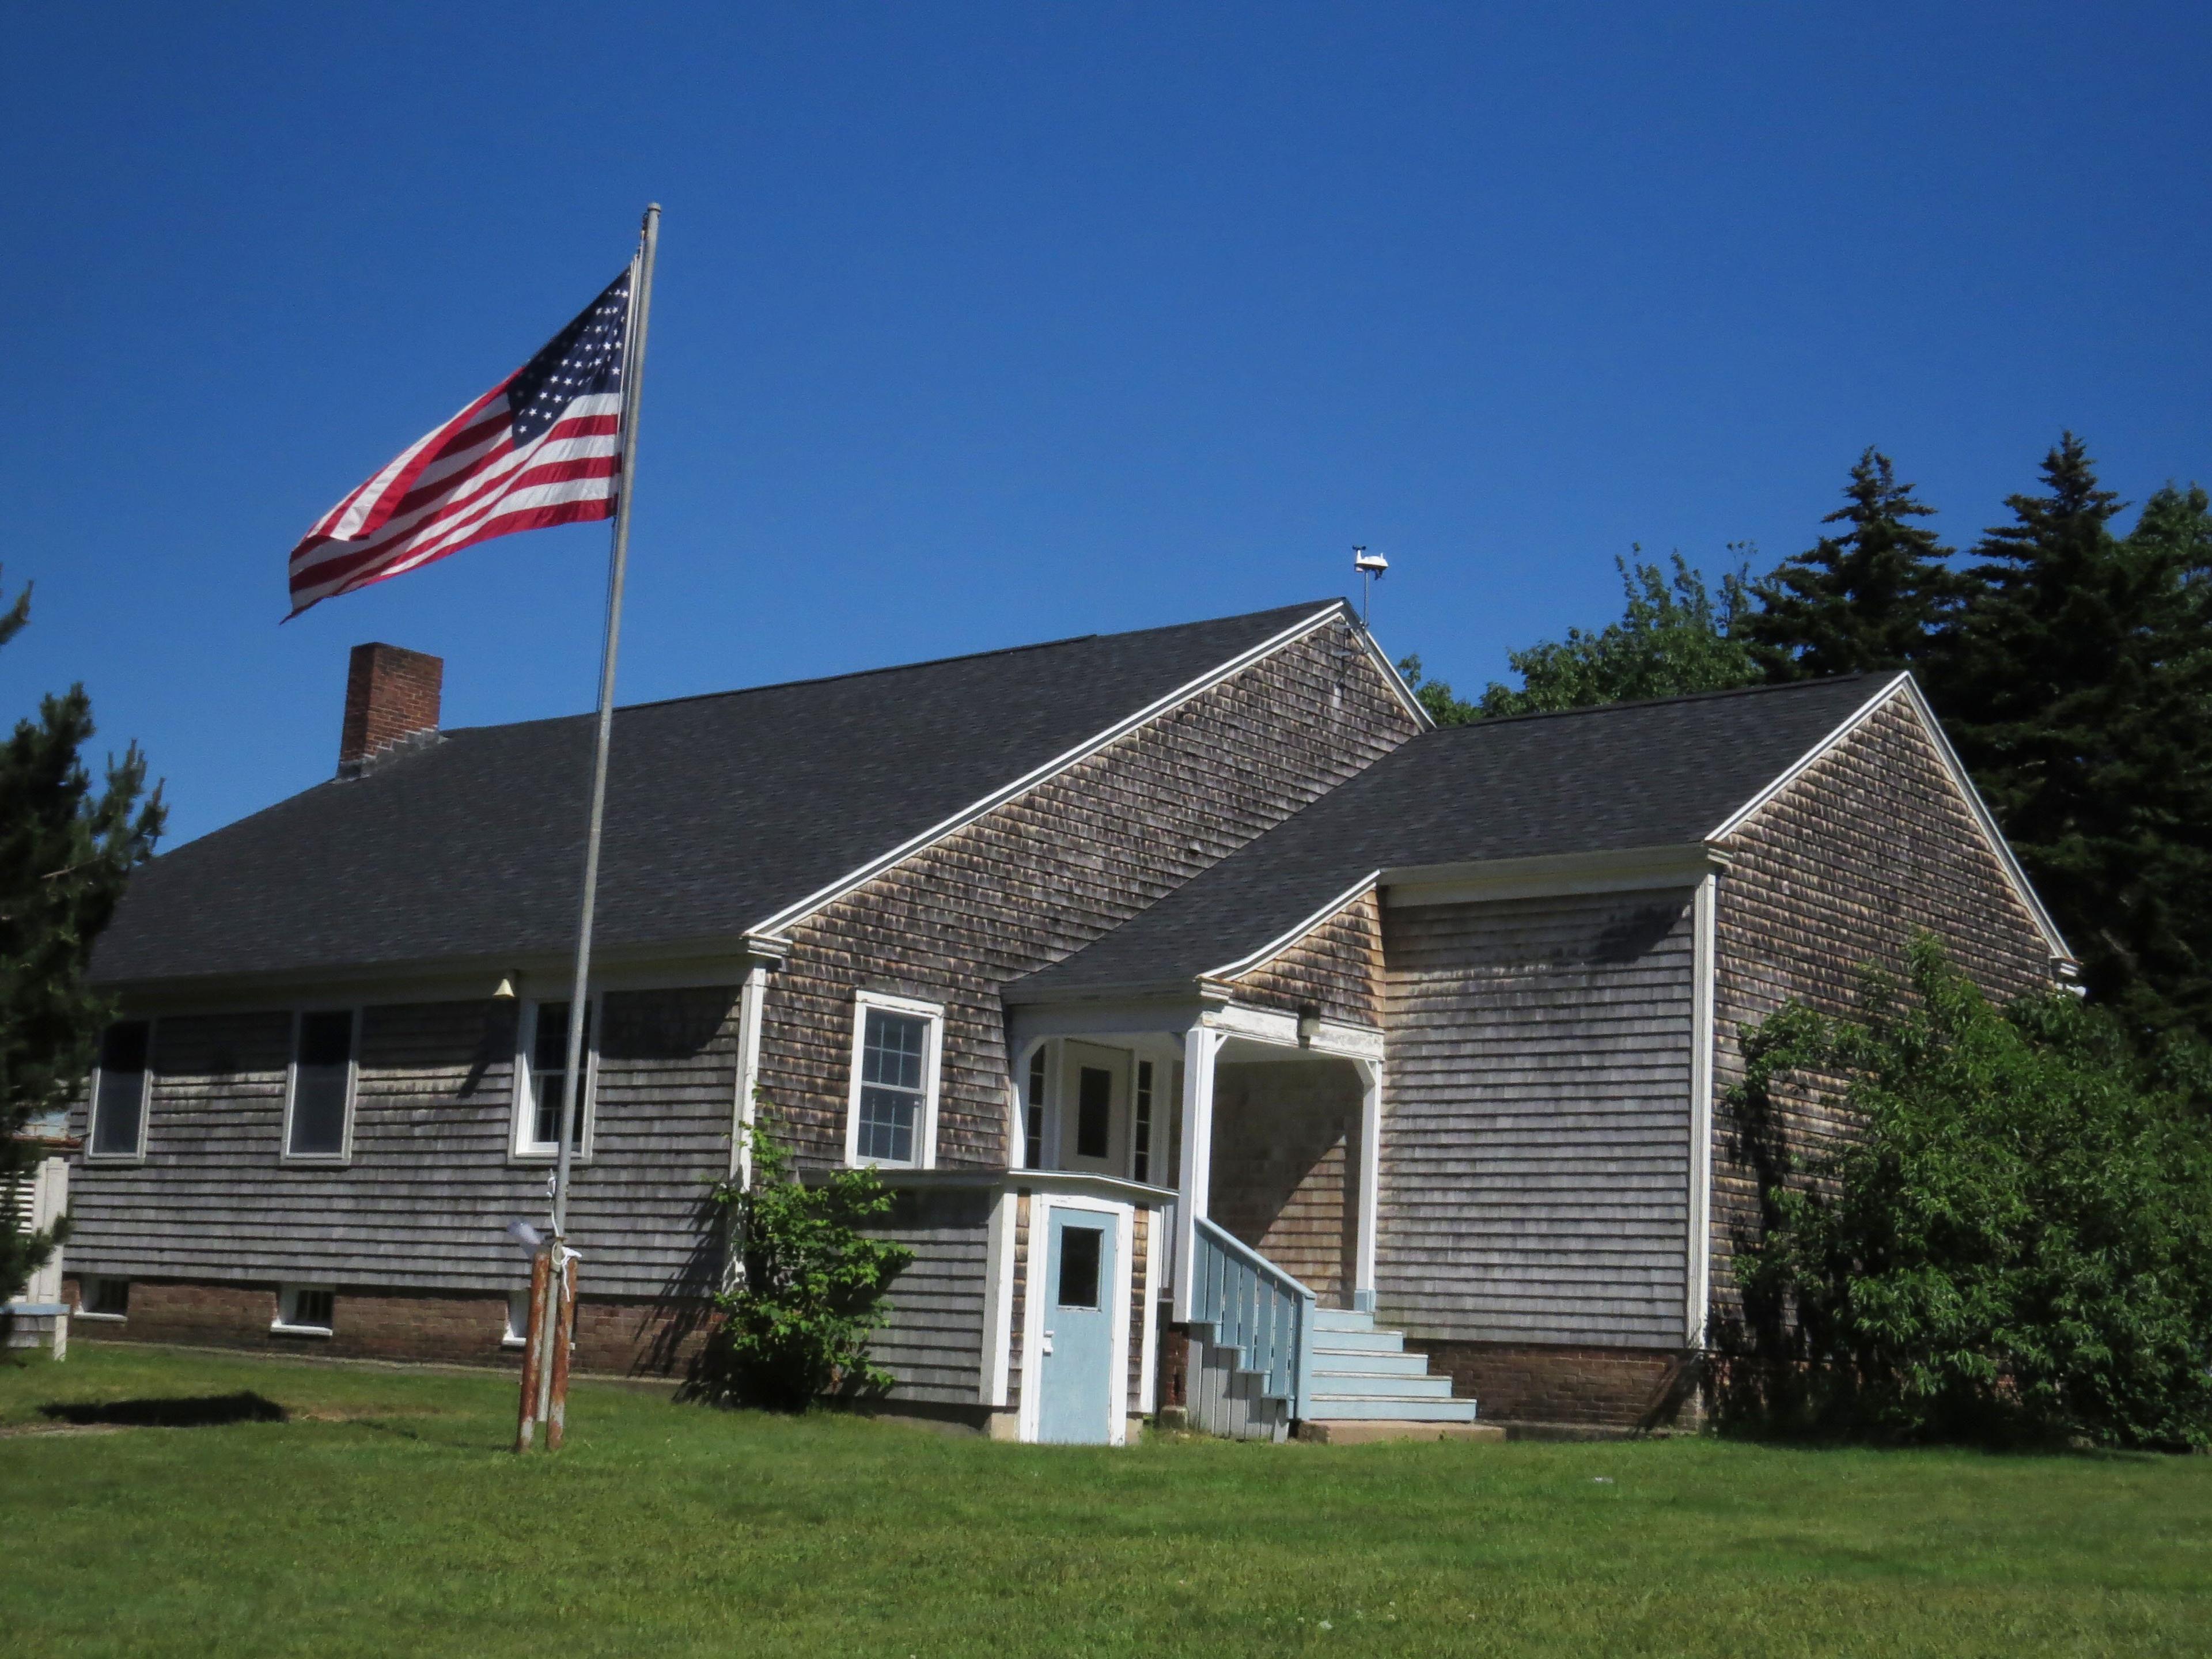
x,y
2016,1244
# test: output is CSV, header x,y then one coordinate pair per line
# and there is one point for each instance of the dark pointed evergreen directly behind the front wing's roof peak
x,y
1864,601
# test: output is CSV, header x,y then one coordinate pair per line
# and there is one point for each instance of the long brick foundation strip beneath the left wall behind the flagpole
x,y
629,1339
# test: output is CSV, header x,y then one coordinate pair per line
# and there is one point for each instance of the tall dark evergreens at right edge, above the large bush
x,y
2078,689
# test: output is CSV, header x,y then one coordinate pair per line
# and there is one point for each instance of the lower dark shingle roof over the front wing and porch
x,y
1603,780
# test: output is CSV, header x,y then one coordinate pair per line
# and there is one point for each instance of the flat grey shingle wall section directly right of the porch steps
x,y
1538,1120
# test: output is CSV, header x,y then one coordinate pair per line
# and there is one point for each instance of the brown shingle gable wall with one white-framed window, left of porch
x,y
1054,870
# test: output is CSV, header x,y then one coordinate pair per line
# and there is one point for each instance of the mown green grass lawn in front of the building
x,y
386,1516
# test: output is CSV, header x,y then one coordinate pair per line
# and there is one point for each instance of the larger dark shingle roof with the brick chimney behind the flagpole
x,y
722,811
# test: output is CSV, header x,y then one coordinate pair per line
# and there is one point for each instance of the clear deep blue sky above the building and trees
x,y
983,326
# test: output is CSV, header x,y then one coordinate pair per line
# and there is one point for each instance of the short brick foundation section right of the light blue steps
x,y
1600,1388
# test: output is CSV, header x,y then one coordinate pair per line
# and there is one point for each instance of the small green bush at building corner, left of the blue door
x,y
808,1293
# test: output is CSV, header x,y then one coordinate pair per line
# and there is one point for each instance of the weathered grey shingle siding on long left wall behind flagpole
x,y
430,1187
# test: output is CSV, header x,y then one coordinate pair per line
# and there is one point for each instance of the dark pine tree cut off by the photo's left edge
x,y
65,855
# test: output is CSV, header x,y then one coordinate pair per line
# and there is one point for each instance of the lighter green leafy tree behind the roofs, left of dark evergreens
x,y
1671,640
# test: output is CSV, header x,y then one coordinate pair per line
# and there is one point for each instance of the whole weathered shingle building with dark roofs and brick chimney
x,y
1235,1041
